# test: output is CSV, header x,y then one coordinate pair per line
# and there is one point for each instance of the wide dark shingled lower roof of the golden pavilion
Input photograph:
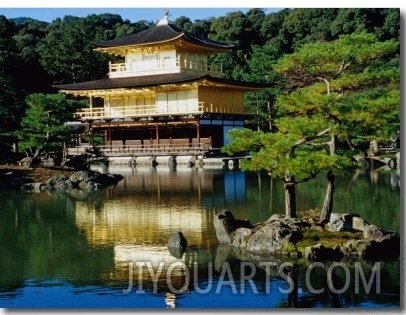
x,y
150,81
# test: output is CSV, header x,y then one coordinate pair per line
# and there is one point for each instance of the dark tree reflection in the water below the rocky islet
x,y
327,284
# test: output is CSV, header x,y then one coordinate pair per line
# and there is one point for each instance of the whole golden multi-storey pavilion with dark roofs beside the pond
x,y
163,98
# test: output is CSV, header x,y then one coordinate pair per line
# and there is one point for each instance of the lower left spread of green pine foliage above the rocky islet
x,y
279,153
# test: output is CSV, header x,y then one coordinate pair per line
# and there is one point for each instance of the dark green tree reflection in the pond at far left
x,y
45,243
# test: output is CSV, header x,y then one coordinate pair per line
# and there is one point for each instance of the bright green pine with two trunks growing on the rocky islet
x,y
335,89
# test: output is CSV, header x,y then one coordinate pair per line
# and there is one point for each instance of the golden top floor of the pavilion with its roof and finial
x,y
162,49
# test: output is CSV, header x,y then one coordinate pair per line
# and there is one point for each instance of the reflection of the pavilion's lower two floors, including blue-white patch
x,y
149,205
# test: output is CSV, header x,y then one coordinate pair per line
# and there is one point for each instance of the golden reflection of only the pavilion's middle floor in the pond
x,y
140,220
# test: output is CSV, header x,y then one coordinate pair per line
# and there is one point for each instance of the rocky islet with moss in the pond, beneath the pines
x,y
345,235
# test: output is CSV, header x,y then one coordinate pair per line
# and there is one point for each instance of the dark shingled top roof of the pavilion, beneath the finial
x,y
162,33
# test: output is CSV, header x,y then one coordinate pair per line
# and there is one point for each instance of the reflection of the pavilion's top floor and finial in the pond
x,y
154,268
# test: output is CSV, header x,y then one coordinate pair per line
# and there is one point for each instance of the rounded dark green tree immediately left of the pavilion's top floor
x,y
67,51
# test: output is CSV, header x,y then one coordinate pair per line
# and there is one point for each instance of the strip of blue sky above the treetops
x,y
132,14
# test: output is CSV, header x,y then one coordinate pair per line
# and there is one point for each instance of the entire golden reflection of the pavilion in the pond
x,y
139,215
